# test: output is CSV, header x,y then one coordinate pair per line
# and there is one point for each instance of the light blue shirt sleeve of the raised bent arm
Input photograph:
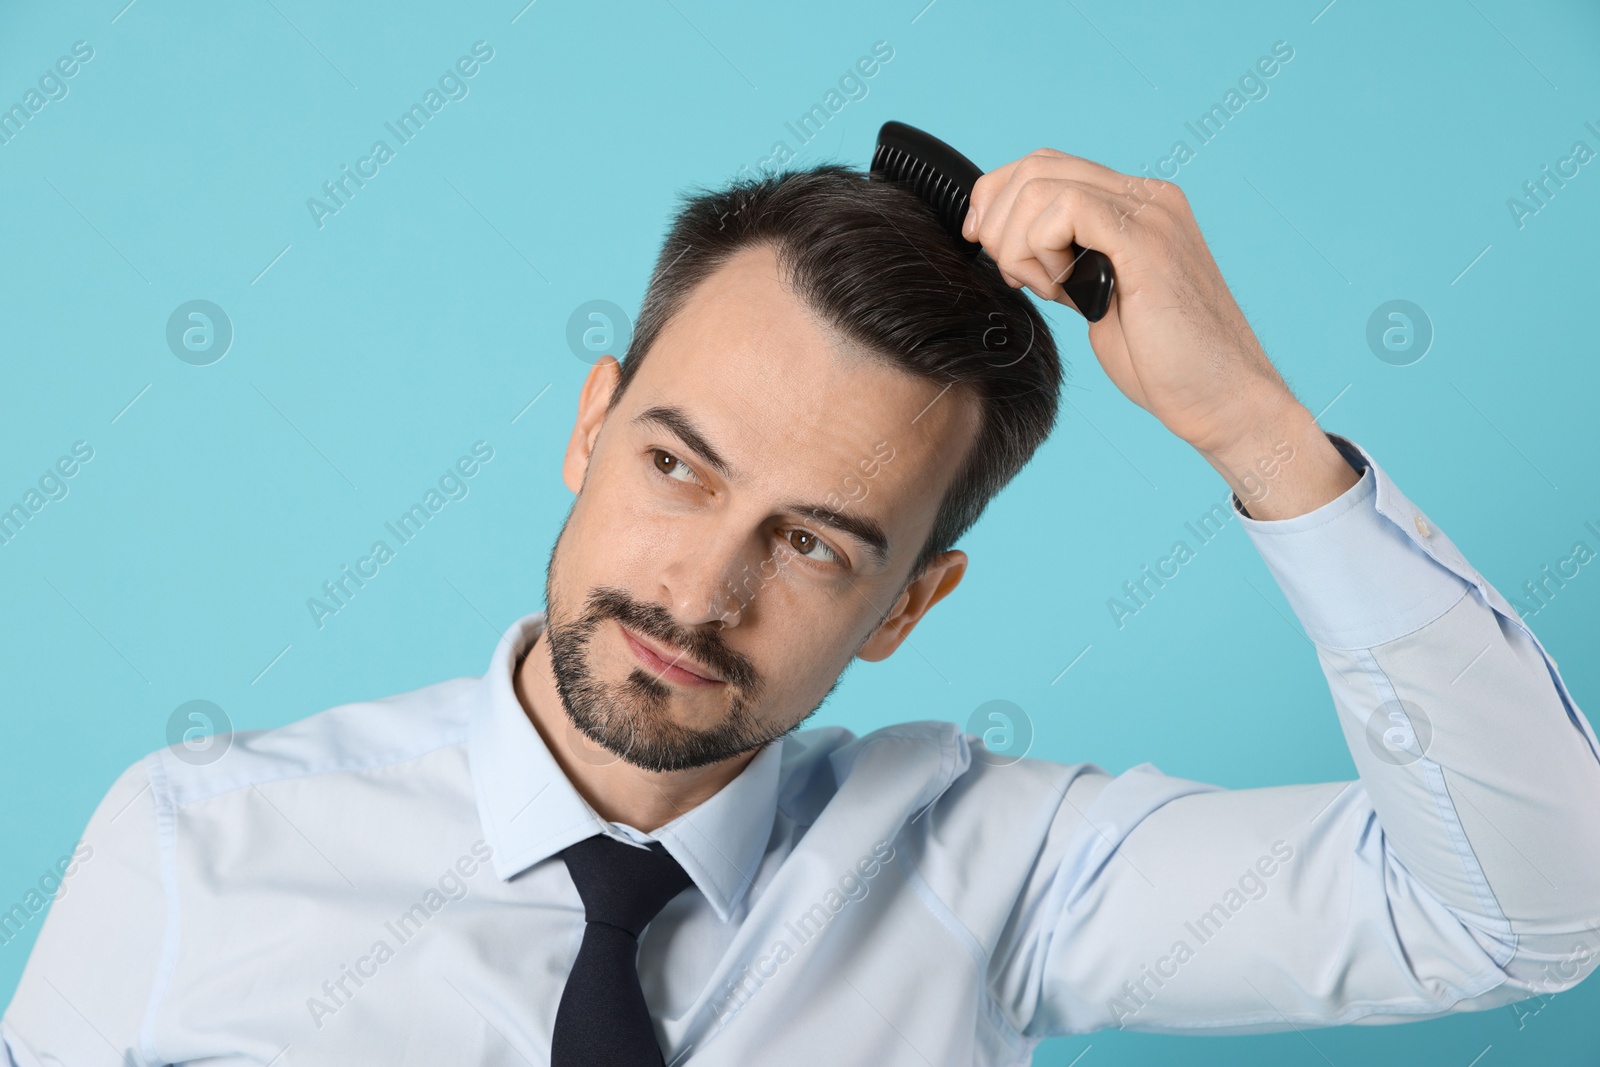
x,y
1460,873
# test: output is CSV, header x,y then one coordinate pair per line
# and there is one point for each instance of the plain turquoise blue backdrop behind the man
x,y
434,308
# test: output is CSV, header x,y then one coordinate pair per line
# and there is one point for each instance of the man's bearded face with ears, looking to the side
x,y
700,601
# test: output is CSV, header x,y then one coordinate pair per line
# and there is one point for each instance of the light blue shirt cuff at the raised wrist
x,y
1367,567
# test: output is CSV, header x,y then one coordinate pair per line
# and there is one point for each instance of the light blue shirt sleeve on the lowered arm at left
x,y
89,983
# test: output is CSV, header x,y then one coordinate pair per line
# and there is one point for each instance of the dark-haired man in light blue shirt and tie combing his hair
x,y
615,849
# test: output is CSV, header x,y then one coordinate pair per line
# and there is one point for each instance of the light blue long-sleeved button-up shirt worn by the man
x,y
380,882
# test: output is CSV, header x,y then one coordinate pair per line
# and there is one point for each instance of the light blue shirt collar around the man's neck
x,y
532,812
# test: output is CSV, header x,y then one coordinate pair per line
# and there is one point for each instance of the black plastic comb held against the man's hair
x,y
945,180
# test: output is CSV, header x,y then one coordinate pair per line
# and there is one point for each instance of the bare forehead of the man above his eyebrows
x,y
798,409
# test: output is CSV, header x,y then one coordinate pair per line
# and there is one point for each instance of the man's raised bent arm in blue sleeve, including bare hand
x,y
1460,873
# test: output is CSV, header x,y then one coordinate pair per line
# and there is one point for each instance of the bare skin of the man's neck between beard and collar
x,y
617,789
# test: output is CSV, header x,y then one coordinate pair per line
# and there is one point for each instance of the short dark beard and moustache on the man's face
x,y
633,719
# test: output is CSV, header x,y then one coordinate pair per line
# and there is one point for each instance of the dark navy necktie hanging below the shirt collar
x,y
602,1020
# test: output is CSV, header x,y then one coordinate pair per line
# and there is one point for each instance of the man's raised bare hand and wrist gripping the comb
x,y
1174,340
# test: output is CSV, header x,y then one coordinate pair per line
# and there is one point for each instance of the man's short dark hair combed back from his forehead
x,y
874,263
